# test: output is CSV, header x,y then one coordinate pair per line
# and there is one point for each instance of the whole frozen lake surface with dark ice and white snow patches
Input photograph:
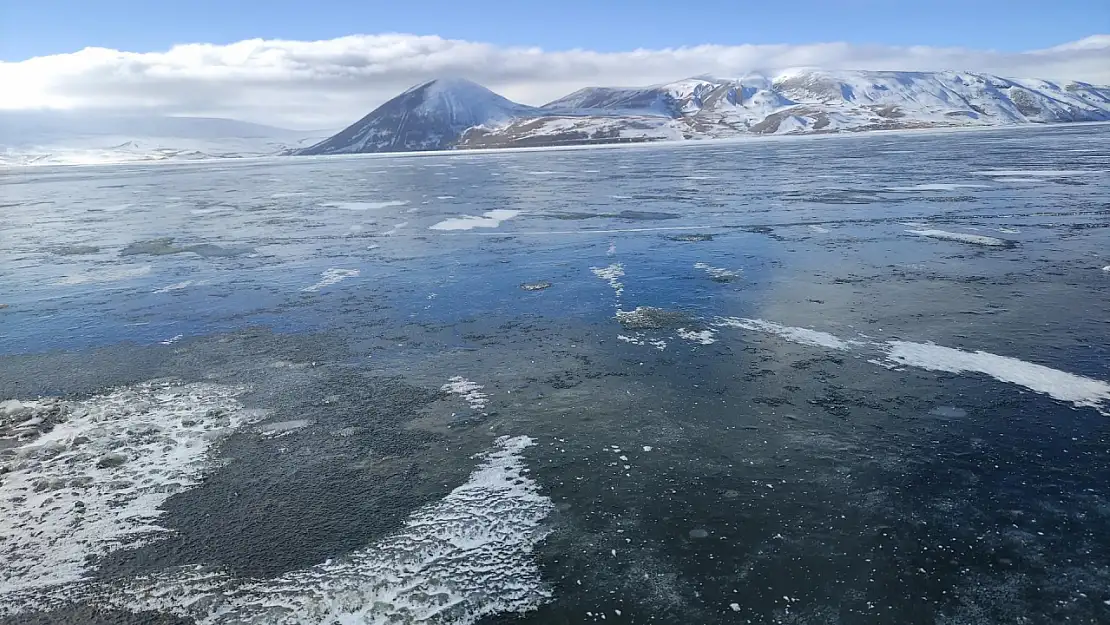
x,y
811,381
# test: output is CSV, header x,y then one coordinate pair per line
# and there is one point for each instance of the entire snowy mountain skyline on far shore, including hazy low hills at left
x,y
455,114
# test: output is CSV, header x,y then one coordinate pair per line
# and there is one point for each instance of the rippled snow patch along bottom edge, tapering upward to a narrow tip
x,y
456,562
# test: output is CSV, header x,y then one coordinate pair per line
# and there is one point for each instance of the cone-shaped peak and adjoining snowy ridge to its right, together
x,y
448,115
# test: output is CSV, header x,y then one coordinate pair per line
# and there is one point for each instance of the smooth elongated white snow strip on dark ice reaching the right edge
x,y
1058,385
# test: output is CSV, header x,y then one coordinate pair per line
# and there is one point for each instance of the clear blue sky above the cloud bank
x,y
47,27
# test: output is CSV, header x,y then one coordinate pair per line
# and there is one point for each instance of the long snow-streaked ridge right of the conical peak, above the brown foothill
x,y
825,102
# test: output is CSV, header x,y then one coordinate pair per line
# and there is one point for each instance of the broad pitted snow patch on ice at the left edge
x,y
96,482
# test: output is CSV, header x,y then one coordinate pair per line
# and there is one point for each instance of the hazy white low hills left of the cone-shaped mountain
x,y
72,138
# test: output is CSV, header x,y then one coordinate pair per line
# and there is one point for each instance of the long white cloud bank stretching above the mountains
x,y
331,84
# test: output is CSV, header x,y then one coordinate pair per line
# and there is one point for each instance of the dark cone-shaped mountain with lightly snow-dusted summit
x,y
428,117
